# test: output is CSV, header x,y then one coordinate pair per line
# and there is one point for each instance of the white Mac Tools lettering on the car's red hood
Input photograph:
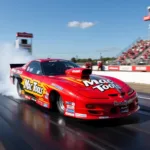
x,y
102,84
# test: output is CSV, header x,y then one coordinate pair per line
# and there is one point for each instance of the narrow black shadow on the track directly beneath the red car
x,y
133,119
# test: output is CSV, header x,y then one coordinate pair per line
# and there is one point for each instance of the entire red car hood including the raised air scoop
x,y
94,86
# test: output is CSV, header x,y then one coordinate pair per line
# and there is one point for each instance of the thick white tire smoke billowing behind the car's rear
x,y
8,55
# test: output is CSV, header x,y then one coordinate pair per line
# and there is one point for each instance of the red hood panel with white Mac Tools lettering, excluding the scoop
x,y
99,87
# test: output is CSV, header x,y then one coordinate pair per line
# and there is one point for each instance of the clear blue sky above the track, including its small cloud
x,y
75,28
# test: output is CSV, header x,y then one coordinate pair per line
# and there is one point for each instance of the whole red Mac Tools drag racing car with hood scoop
x,y
74,91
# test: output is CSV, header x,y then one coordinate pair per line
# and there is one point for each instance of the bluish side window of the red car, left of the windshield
x,y
35,68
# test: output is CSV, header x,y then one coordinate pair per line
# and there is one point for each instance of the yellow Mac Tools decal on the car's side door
x,y
33,87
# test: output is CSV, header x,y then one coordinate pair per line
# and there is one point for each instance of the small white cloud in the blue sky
x,y
82,25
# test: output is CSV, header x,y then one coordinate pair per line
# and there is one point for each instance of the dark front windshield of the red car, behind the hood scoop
x,y
57,67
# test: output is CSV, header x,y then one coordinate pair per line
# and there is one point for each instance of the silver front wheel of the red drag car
x,y
60,105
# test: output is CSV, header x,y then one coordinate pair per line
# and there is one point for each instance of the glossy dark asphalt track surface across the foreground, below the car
x,y
26,126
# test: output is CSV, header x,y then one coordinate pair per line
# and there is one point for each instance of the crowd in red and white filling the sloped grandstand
x,y
140,49
